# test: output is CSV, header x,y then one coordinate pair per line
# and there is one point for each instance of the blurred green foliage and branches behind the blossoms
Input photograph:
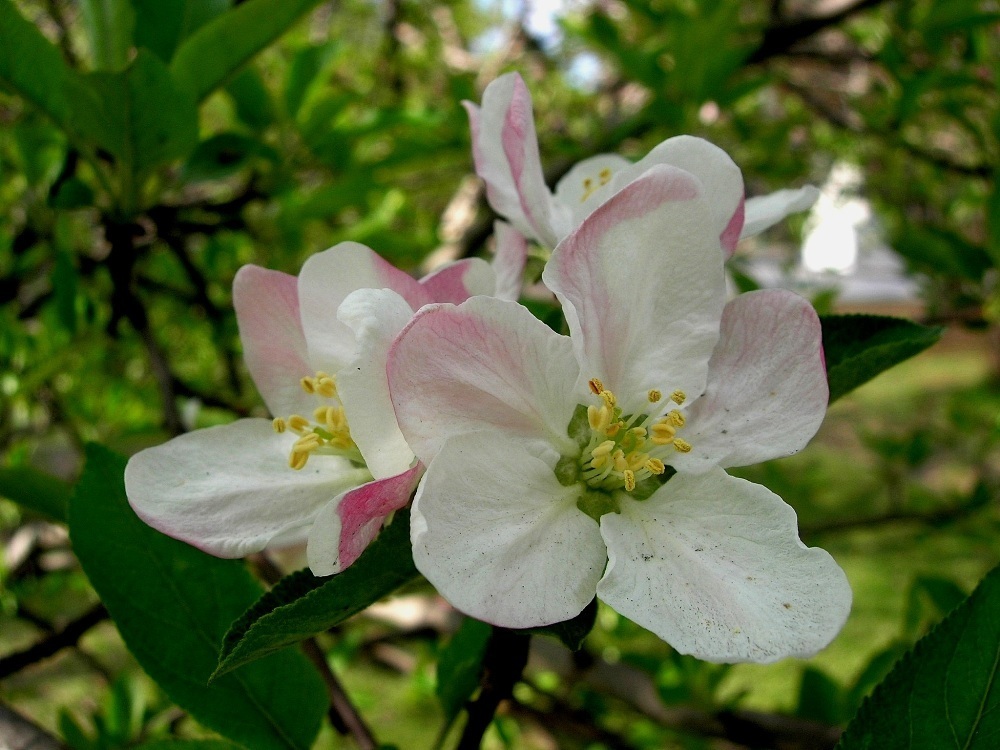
x,y
143,161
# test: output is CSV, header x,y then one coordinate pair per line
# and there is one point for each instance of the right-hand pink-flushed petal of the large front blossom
x,y
767,390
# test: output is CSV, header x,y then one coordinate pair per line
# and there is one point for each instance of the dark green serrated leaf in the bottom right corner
x,y
944,693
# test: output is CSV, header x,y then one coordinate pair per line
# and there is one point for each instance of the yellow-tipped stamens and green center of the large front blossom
x,y
624,450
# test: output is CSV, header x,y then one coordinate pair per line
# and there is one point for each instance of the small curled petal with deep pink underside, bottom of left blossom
x,y
344,528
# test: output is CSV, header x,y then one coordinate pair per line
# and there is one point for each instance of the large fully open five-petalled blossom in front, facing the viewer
x,y
560,467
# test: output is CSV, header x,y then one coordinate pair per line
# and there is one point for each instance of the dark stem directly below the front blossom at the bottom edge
x,y
505,660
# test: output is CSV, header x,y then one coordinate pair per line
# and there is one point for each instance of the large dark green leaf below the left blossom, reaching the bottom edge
x,y
172,605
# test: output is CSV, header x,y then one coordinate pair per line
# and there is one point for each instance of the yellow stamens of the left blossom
x,y
327,433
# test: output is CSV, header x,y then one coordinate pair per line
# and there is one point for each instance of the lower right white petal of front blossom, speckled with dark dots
x,y
713,565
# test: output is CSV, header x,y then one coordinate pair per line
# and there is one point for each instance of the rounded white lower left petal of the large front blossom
x,y
500,538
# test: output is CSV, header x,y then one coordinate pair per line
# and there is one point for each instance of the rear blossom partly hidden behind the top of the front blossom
x,y
505,149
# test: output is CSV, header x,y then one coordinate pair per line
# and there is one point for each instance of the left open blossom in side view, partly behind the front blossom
x,y
332,463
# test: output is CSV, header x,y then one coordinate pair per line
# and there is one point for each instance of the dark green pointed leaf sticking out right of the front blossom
x,y
859,347
